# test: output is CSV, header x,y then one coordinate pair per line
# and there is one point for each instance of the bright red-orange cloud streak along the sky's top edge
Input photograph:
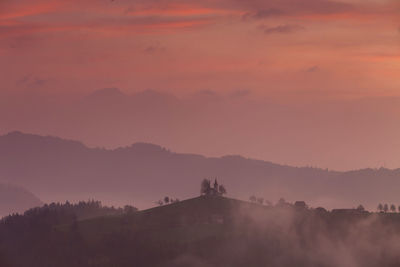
x,y
155,12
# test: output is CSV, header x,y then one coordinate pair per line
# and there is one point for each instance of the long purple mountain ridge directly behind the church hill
x,y
59,170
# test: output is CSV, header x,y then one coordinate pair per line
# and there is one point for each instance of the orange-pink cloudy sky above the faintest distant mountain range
x,y
286,51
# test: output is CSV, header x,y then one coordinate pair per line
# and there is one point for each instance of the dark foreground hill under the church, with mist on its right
x,y
204,232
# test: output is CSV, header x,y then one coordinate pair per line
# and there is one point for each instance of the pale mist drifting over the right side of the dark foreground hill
x,y
289,237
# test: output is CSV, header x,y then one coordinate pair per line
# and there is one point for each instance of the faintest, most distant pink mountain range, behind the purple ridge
x,y
338,134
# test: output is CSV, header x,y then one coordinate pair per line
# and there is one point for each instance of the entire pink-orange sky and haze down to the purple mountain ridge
x,y
300,82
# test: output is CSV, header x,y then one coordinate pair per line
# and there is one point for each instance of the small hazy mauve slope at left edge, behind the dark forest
x,y
15,199
